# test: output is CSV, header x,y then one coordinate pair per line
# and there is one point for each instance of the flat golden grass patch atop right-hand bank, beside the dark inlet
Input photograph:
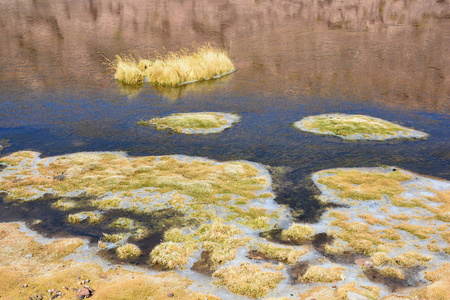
x,y
360,185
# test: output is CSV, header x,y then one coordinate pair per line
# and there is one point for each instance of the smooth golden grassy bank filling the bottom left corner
x,y
47,269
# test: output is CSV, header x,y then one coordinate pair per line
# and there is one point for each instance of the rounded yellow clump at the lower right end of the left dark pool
x,y
171,255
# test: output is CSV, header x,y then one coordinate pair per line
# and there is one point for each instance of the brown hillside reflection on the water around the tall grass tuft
x,y
393,52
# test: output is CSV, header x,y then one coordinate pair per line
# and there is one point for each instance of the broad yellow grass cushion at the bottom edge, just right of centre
x,y
248,280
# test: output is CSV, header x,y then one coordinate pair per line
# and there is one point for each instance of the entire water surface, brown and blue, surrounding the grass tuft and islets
x,y
387,59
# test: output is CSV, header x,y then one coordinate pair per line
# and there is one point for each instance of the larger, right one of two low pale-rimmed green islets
x,y
356,127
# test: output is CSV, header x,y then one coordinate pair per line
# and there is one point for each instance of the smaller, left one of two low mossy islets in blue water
x,y
194,123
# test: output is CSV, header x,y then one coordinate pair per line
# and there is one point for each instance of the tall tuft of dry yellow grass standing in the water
x,y
184,66
